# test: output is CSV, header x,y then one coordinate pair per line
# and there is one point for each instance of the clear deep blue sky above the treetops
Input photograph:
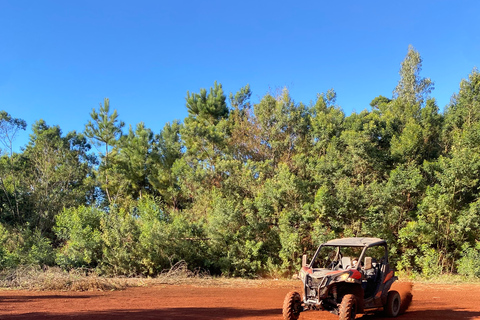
x,y
60,59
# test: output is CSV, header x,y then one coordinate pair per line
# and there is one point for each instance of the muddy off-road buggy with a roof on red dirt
x,y
346,276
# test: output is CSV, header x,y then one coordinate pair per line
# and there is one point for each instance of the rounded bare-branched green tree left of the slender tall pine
x,y
56,174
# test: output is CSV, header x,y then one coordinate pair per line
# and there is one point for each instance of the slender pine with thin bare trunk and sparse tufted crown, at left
x,y
104,130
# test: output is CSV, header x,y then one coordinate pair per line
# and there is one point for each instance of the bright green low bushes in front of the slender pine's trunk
x,y
140,240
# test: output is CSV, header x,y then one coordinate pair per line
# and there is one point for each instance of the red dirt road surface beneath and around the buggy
x,y
189,302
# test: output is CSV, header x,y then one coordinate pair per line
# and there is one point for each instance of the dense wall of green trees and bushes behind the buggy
x,y
242,188
